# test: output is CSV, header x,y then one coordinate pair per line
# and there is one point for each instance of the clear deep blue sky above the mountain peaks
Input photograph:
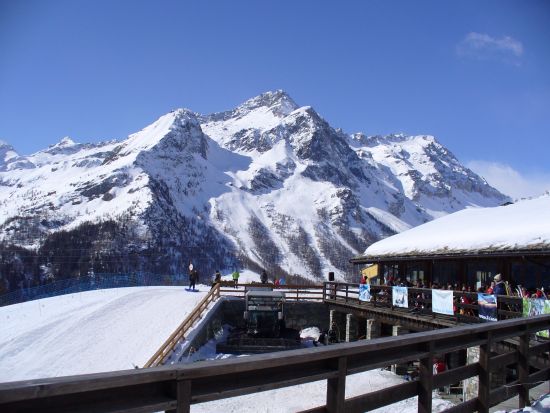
x,y
476,74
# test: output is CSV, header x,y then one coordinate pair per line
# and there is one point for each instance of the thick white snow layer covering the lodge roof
x,y
519,227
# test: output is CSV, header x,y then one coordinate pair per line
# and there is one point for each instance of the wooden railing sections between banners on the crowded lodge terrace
x,y
420,300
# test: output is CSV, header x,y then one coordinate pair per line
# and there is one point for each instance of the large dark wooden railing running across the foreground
x,y
174,388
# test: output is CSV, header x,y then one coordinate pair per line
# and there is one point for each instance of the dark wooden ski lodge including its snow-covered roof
x,y
470,247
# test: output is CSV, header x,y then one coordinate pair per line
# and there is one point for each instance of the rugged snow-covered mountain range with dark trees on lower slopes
x,y
267,184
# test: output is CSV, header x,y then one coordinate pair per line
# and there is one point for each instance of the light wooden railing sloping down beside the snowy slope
x,y
162,354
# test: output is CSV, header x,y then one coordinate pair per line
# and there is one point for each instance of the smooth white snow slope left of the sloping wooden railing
x,y
89,332
